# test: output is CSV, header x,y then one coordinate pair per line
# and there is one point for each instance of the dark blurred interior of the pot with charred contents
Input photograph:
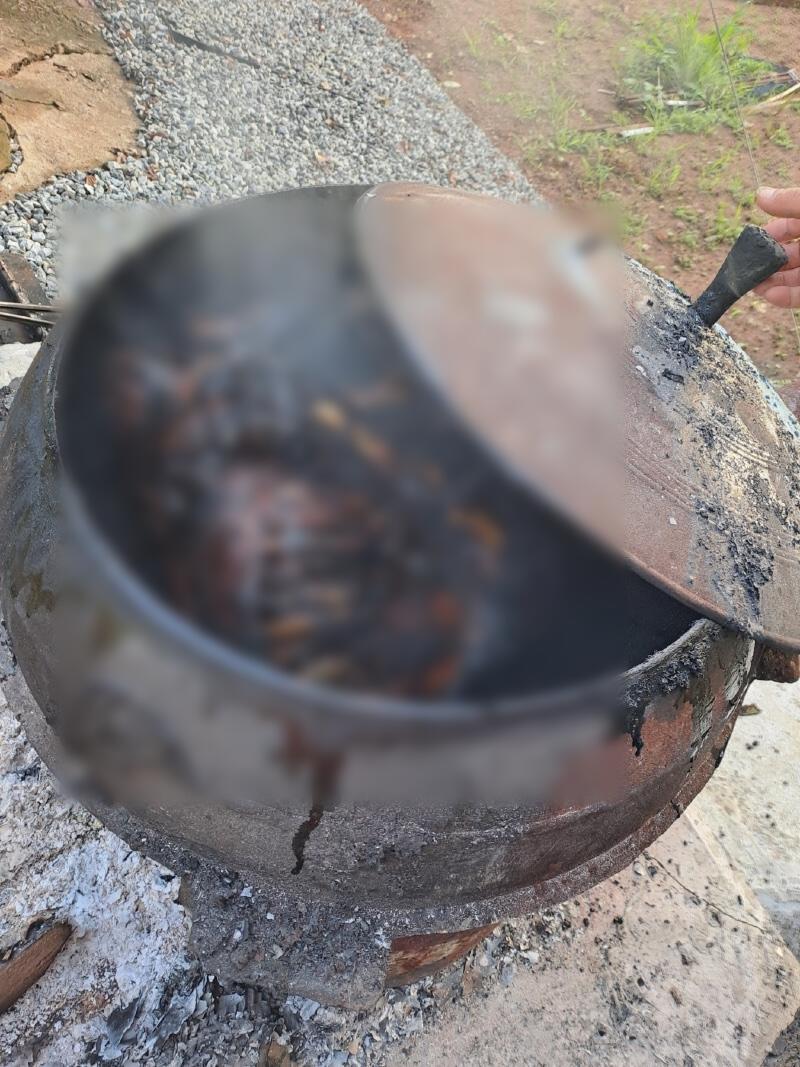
x,y
247,431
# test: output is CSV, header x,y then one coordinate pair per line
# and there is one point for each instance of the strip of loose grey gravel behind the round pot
x,y
247,97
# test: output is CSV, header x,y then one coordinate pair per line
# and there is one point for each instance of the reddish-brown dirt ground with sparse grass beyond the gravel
x,y
538,75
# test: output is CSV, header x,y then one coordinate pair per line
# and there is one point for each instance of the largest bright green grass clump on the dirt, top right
x,y
676,59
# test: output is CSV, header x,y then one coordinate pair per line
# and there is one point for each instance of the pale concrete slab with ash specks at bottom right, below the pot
x,y
675,962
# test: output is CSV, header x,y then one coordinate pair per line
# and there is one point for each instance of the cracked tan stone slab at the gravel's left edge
x,y
65,105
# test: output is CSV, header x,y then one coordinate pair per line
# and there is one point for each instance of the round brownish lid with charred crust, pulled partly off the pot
x,y
681,458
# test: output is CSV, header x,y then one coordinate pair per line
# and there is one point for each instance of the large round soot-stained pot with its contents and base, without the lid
x,y
339,825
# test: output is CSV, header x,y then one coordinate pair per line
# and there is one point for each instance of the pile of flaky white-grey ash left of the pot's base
x,y
130,935
